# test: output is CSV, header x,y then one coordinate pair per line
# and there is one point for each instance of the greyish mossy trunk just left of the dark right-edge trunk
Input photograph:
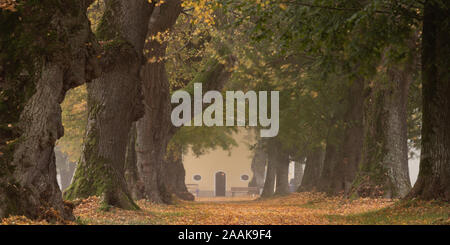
x,y
384,169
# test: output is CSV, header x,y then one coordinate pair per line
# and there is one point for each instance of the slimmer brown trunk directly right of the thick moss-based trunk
x,y
153,130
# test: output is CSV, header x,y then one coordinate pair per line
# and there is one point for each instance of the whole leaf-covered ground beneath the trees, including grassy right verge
x,y
295,209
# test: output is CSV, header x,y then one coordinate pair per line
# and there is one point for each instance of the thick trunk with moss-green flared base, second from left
x,y
114,103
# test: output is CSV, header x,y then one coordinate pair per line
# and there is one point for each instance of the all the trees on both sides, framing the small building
x,y
351,94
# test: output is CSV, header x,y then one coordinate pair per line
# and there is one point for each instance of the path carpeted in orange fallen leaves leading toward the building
x,y
298,208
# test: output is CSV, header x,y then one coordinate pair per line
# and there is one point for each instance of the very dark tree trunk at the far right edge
x,y
434,173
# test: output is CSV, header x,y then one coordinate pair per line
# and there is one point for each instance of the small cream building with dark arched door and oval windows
x,y
216,172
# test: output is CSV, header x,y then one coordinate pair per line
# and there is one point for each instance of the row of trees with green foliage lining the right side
x,y
357,89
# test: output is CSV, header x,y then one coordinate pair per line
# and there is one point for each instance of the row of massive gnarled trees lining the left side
x,y
48,47
